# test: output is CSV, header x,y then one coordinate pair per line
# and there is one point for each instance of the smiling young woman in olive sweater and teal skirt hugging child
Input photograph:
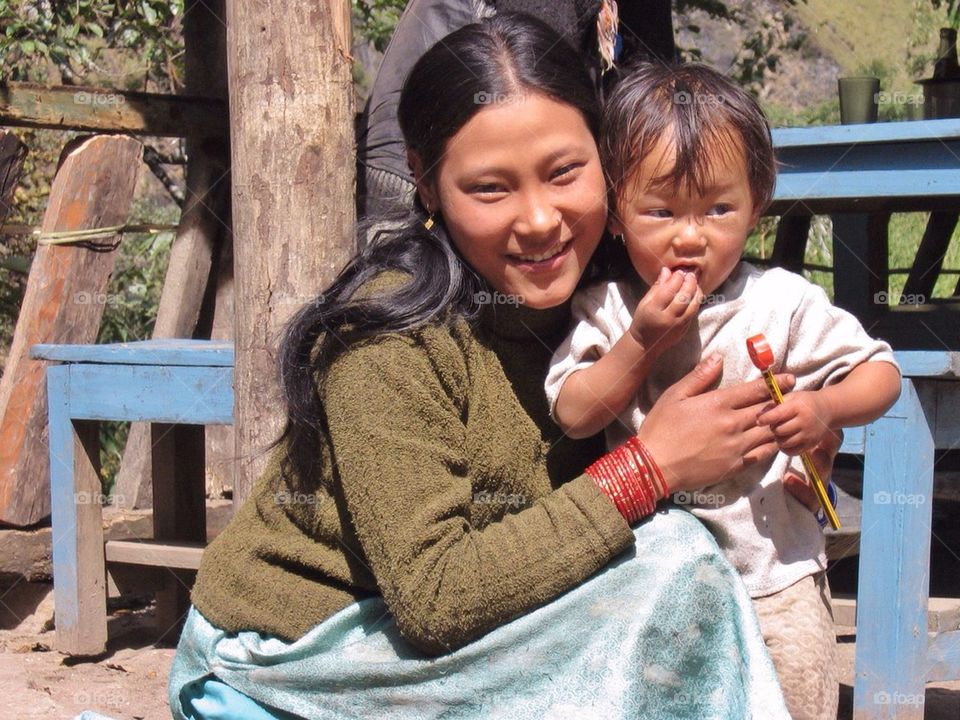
x,y
455,555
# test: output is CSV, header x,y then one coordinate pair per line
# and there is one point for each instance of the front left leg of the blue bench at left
x,y
77,520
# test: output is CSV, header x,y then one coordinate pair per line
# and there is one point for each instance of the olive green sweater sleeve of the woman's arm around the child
x,y
396,412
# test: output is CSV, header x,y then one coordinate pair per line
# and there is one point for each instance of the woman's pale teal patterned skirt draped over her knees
x,y
665,631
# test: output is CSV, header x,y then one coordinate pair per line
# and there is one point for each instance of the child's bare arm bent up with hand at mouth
x,y
592,398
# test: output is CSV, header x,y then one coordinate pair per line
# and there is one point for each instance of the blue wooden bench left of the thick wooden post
x,y
177,385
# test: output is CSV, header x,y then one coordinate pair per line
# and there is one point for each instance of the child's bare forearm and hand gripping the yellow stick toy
x,y
863,395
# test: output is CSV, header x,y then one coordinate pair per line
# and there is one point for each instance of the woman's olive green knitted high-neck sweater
x,y
441,485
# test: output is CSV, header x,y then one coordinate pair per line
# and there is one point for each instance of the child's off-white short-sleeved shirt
x,y
769,536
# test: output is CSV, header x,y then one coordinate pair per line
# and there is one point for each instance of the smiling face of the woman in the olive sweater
x,y
523,197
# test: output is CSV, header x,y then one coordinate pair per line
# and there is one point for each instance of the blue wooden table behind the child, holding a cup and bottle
x,y
860,175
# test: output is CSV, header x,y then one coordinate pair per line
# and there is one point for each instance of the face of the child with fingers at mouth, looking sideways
x,y
703,234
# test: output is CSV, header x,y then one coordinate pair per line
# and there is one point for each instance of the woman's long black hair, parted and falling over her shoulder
x,y
480,63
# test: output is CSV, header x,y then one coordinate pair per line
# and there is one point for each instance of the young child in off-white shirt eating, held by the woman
x,y
691,167
